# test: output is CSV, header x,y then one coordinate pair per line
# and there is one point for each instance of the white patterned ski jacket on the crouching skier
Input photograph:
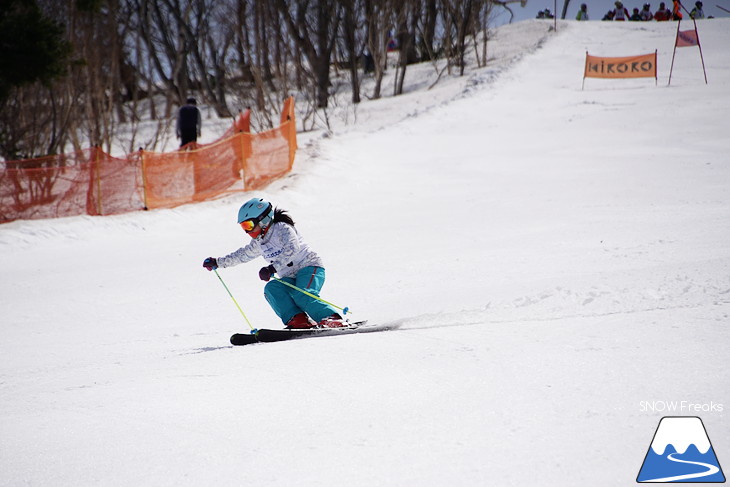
x,y
282,247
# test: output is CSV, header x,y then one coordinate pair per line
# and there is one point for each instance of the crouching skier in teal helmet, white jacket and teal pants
x,y
276,239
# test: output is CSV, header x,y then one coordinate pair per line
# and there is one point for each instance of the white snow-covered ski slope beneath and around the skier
x,y
556,259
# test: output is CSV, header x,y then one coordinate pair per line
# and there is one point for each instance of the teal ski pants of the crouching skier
x,y
288,302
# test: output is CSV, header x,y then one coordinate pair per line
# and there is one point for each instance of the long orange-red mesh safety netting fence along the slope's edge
x,y
91,182
